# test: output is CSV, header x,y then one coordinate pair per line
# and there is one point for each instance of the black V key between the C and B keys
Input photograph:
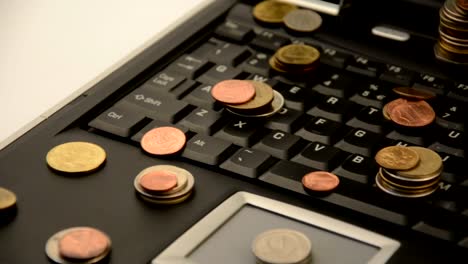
x,y
320,156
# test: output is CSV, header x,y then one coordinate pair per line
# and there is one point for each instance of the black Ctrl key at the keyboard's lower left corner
x,y
119,121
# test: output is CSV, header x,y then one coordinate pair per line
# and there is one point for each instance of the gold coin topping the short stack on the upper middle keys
x,y
298,54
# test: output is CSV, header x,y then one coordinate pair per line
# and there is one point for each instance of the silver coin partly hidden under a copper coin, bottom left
x,y
52,249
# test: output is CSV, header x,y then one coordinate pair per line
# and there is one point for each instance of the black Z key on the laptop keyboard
x,y
203,120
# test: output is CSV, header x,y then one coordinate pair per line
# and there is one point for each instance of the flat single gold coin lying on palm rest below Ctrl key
x,y
76,157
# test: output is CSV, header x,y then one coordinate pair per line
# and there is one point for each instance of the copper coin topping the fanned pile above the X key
x,y
233,91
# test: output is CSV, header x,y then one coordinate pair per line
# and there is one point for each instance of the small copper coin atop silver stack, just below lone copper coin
x,y
158,181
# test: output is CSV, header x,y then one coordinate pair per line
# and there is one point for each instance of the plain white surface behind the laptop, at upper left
x,y
53,50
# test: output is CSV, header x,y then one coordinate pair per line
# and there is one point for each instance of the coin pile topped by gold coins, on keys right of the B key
x,y
408,172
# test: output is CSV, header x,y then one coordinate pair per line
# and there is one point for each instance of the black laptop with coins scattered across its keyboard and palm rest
x,y
368,50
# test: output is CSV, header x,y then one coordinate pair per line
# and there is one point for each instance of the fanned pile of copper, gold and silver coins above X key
x,y
248,98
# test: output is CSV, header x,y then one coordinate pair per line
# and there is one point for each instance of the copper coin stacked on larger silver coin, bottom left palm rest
x,y
53,251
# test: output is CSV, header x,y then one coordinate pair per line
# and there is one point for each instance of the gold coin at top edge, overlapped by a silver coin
x,y
272,11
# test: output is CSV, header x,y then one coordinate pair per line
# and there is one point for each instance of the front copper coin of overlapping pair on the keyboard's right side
x,y
411,113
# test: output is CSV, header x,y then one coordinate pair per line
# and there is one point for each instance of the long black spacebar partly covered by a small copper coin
x,y
340,200
